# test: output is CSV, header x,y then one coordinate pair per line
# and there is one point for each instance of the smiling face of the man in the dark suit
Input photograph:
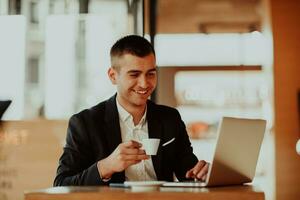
x,y
135,78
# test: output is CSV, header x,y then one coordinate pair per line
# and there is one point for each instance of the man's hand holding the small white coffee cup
x,y
126,154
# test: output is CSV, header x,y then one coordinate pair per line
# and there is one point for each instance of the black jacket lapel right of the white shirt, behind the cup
x,y
155,131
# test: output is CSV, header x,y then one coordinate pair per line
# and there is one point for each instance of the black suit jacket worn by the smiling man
x,y
93,134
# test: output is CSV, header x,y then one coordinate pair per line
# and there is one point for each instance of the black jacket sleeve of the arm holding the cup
x,y
76,164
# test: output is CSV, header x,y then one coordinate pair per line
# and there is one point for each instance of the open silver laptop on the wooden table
x,y
236,154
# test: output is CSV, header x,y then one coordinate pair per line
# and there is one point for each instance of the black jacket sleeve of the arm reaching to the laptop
x,y
186,157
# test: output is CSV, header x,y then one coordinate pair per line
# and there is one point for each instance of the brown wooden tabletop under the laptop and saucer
x,y
108,193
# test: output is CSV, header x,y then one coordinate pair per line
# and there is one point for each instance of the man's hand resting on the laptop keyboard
x,y
199,171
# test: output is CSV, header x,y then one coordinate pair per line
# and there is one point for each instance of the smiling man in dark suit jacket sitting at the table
x,y
102,144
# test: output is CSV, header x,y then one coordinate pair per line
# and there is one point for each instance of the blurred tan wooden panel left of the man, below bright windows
x,y
29,153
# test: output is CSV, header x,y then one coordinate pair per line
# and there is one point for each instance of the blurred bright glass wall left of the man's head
x,y
54,54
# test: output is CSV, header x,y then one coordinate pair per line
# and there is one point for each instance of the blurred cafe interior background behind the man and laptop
x,y
215,58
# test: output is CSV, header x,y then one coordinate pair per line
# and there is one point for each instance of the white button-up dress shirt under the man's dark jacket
x,y
144,170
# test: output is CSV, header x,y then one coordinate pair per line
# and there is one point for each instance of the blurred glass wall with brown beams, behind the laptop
x,y
215,59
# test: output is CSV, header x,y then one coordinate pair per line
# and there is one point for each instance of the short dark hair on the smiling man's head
x,y
131,44
